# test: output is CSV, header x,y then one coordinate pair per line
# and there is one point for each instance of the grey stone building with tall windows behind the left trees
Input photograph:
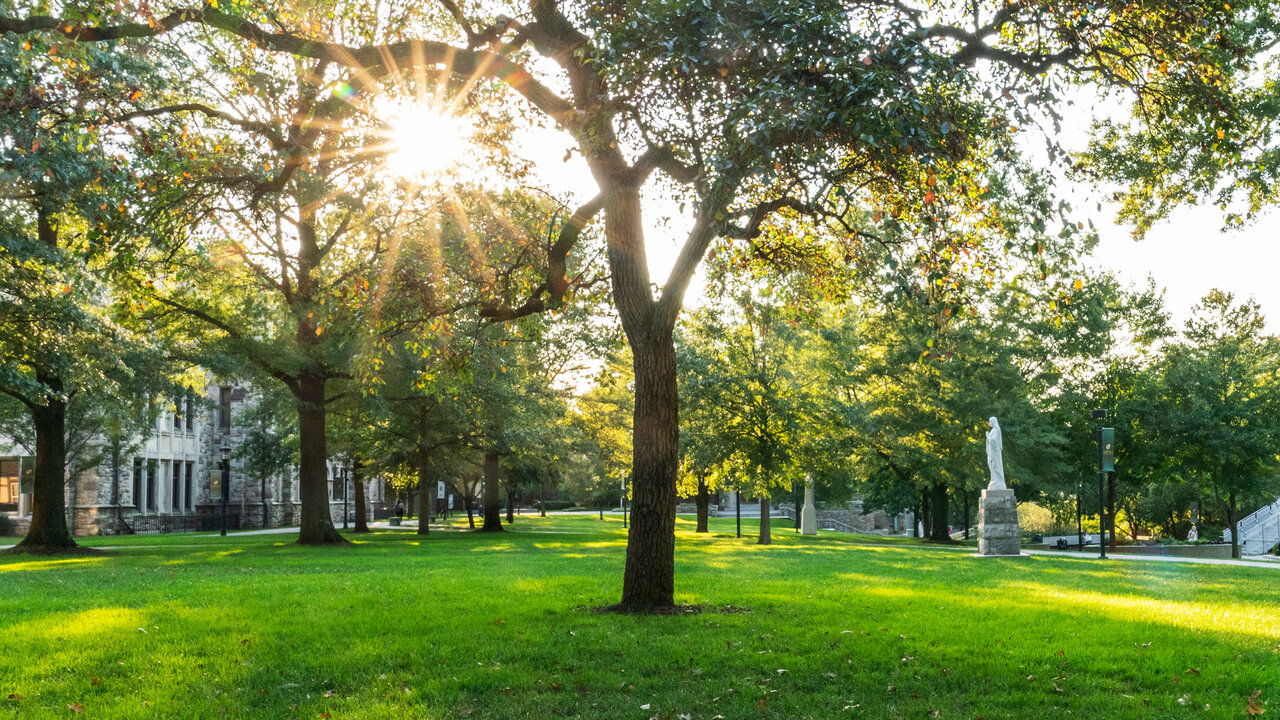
x,y
171,481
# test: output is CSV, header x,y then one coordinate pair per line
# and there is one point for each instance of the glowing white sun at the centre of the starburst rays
x,y
427,142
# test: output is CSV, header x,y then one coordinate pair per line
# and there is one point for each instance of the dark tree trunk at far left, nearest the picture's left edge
x,y
49,532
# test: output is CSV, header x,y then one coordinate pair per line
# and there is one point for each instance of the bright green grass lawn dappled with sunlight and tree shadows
x,y
473,626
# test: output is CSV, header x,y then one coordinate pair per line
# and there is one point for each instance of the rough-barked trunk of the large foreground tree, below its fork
x,y
650,578
